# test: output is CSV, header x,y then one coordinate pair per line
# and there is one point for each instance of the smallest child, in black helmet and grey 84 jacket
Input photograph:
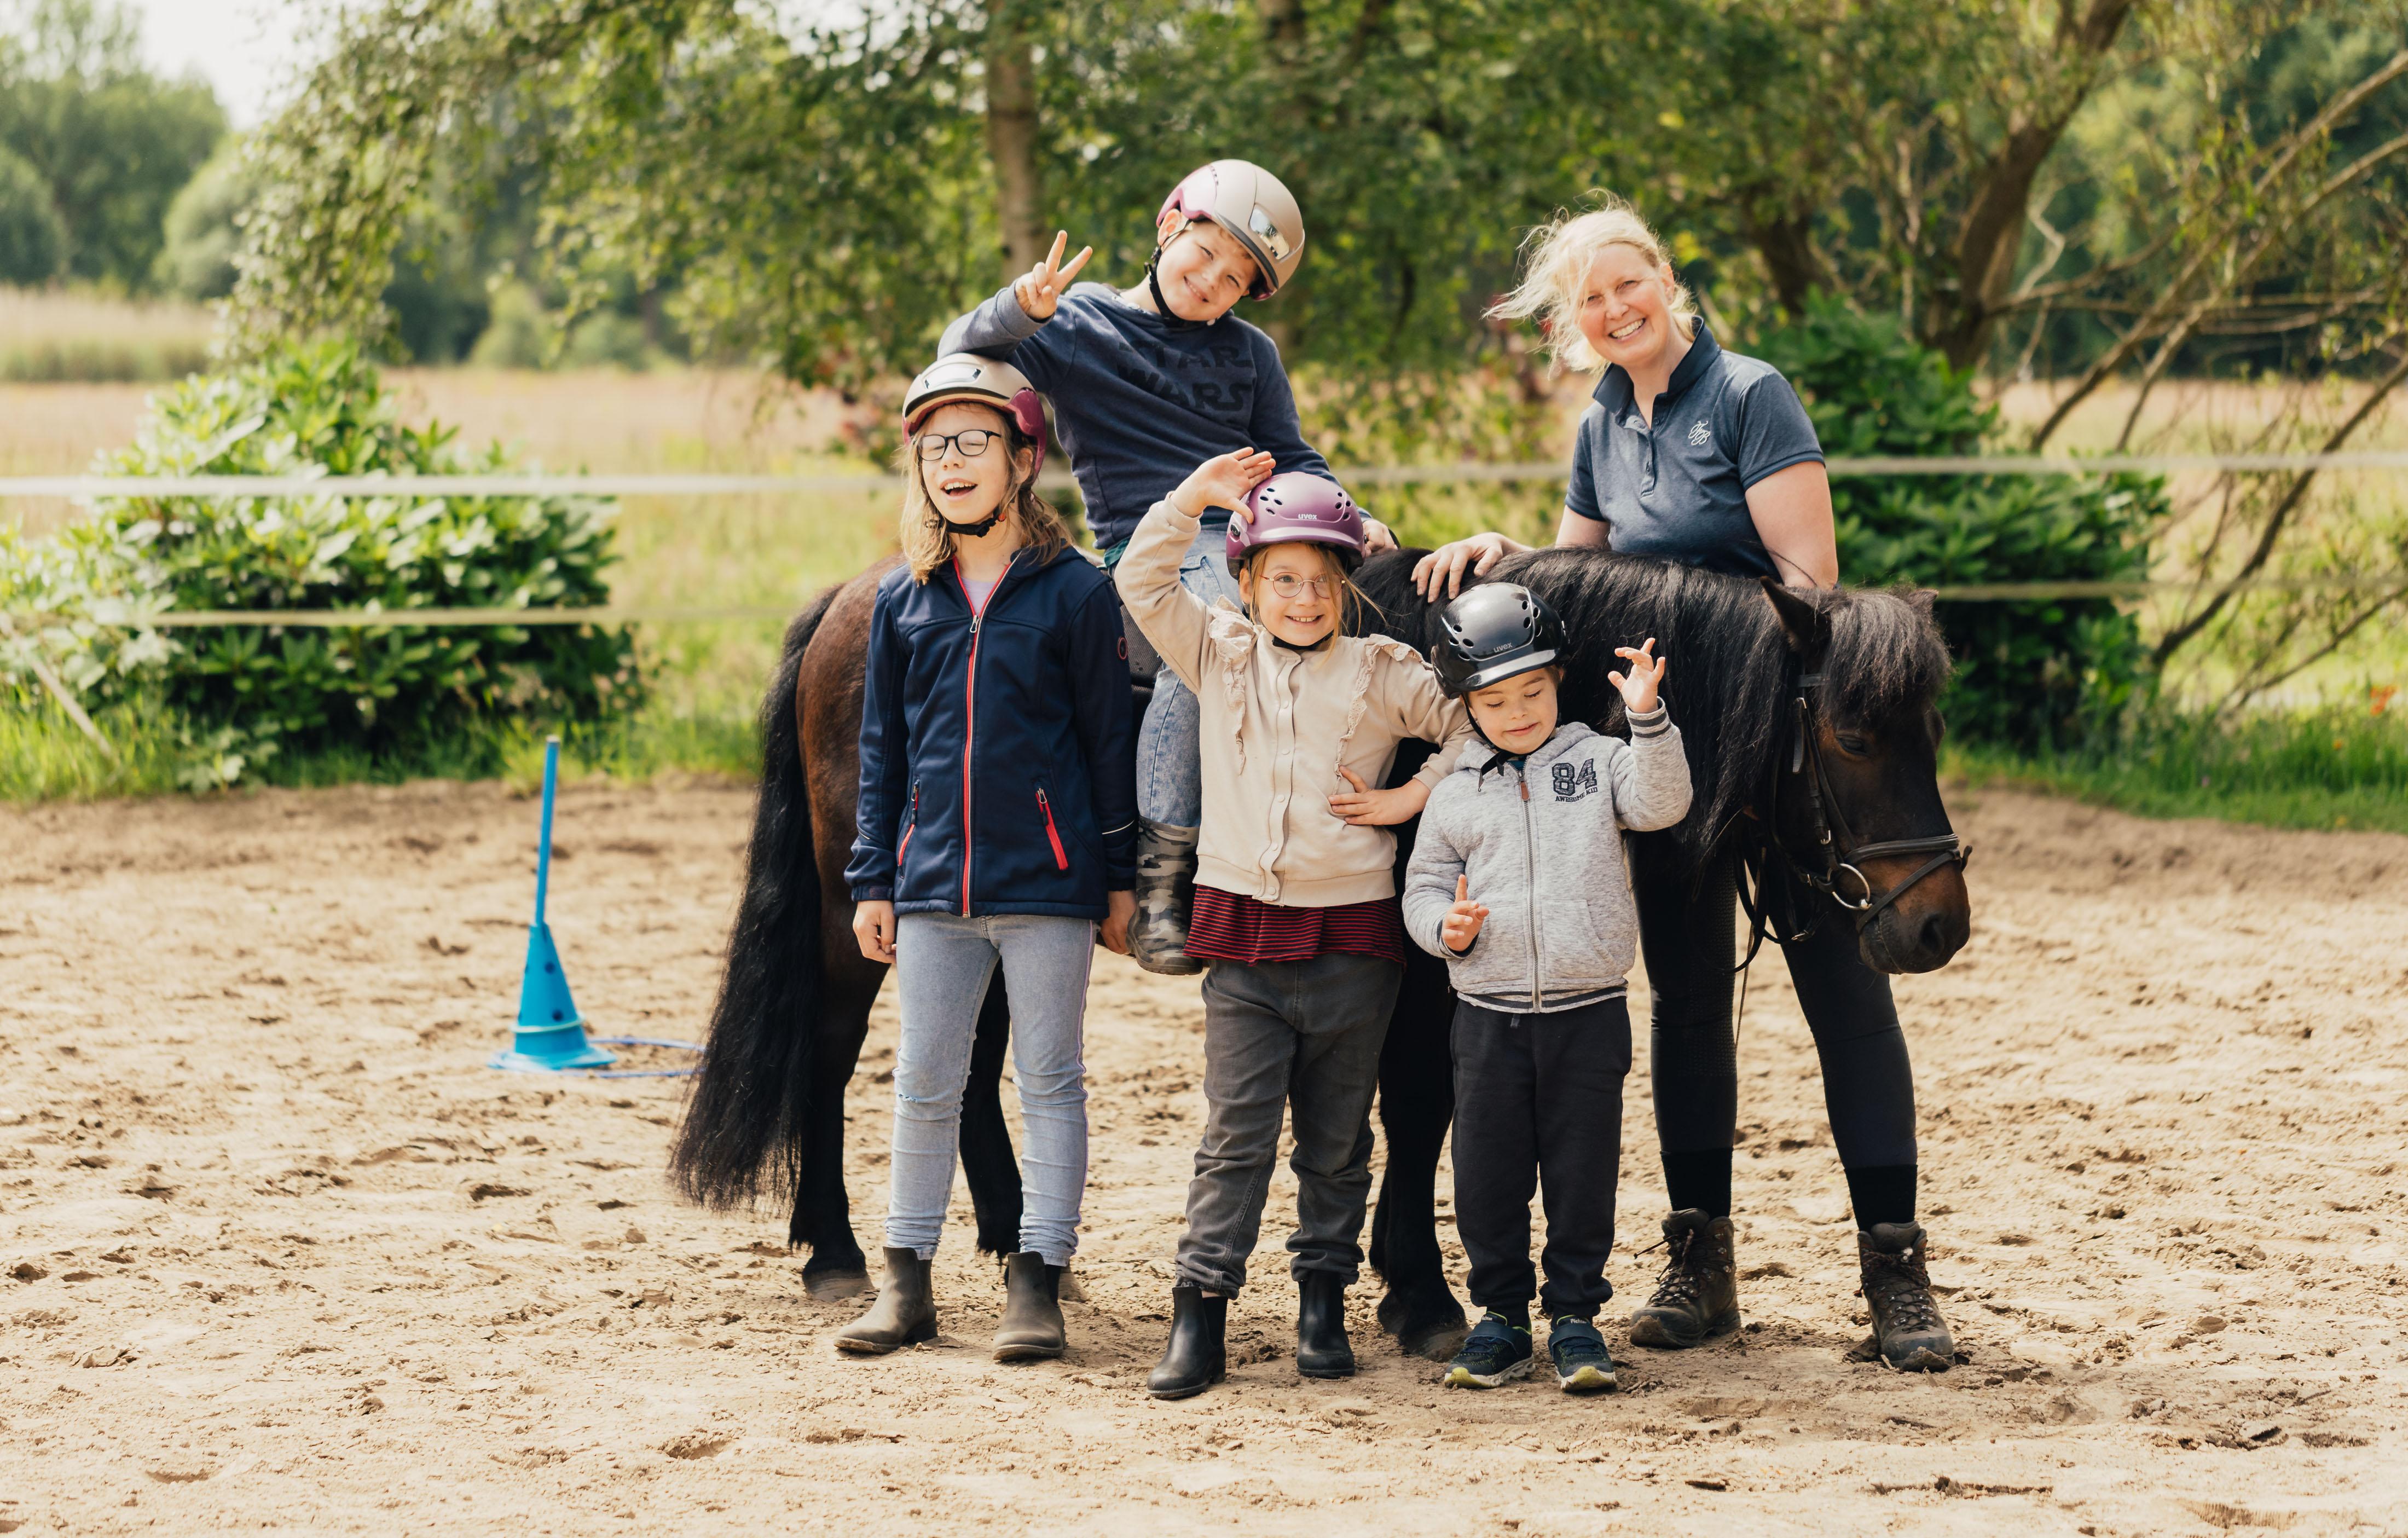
x,y
1542,1034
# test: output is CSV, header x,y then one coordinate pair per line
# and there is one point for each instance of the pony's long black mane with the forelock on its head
x,y
1730,661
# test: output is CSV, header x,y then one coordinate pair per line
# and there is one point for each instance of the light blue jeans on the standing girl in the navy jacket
x,y
943,971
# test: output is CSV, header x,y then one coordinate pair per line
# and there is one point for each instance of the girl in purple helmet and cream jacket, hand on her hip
x,y
1297,897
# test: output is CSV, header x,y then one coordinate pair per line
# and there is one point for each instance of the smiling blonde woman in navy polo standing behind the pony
x,y
1704,456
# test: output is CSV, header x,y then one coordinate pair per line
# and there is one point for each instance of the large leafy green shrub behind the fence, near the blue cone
x,y
244,692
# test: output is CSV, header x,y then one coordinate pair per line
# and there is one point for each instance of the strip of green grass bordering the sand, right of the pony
x,y
2318,769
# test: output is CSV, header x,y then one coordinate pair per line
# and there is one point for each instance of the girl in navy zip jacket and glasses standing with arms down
x,y
996,829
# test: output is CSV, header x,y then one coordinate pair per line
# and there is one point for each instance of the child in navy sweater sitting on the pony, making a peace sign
x,y
1150,381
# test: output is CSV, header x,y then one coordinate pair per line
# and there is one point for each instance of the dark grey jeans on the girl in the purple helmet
x,y
1299,1034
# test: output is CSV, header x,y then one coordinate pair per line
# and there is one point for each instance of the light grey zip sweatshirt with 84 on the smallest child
x,y
1540,841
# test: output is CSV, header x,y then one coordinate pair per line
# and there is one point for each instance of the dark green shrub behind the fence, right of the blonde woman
x,y
2029,673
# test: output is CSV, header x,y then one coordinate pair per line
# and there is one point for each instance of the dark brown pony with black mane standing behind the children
x,y
786,1034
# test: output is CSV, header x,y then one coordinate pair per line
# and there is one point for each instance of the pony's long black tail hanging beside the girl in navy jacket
x,y
745,1132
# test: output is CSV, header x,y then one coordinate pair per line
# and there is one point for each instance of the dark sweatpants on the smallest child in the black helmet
x,y
1540,1106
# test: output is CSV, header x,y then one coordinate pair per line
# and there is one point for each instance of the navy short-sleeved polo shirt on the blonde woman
x,y
1680,490
